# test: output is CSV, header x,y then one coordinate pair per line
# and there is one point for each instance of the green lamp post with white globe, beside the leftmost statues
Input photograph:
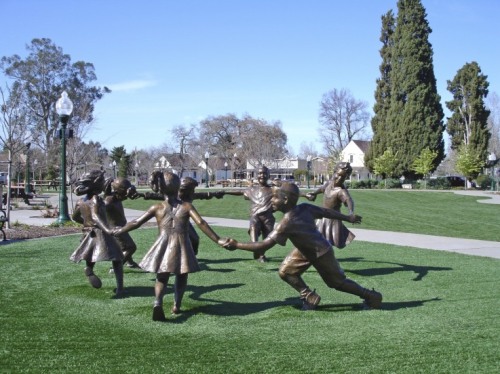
x,y
64,108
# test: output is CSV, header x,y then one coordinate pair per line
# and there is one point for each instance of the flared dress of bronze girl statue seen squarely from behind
x,y
172,251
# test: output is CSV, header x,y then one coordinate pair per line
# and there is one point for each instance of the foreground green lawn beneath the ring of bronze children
x,y
440,314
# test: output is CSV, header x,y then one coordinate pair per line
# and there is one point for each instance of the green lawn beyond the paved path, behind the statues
x,y
420,212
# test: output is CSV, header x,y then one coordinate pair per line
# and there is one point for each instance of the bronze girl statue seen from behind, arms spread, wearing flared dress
x,y
172,252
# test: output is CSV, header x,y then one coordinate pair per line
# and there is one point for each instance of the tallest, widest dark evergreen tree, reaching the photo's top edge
x,y
415,116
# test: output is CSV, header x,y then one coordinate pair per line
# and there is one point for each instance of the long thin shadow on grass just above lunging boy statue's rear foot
x,y
420,271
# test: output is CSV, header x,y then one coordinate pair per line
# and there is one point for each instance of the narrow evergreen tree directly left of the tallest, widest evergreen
x,y
382,93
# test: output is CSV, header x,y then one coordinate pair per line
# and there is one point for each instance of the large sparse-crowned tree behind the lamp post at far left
x,y
40,79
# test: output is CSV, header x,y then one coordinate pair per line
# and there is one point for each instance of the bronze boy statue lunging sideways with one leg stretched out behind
x,y
310,248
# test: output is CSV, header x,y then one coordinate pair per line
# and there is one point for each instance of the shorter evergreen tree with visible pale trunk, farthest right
x,y
468,123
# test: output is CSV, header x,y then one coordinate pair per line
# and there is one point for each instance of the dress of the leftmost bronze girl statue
x,y
95,245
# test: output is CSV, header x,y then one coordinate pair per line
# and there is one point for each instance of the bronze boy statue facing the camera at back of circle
x,y
261,217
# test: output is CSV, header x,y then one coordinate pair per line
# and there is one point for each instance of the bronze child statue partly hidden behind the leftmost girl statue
x,y
116,191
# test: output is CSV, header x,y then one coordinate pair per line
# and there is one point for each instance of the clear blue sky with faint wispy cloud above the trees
x,y
176,62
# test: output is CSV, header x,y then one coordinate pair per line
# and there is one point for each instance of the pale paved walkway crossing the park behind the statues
x,y
465,246
